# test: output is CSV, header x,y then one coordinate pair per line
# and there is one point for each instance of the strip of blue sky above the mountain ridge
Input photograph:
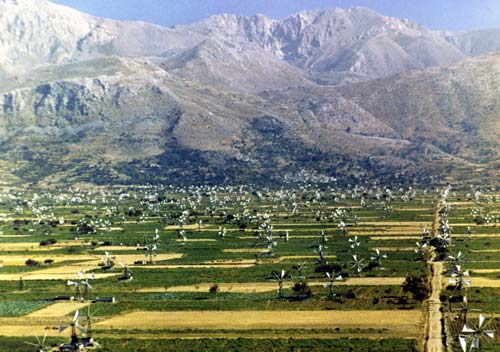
x,y
435,14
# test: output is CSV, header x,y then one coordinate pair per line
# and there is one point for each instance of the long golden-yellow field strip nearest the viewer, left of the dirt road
x,y
405,322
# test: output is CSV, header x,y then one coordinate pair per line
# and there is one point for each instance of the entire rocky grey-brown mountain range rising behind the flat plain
x,y
336,93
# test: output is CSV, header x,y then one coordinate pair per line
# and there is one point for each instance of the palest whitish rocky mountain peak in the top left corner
x,y
37,32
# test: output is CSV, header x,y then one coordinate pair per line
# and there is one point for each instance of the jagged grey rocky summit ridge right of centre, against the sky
x,y
356,40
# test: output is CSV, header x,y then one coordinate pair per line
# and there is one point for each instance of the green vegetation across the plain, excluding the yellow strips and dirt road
x,y
304,228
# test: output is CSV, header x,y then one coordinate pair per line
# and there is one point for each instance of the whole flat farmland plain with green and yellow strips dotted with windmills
x,y
236,268
